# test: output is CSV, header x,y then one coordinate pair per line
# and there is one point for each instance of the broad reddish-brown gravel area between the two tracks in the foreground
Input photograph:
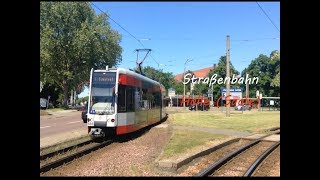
x,y
129,158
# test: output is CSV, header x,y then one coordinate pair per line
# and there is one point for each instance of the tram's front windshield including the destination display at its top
x,y
103,93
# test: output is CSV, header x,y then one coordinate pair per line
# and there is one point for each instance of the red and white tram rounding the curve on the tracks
x,y
122,101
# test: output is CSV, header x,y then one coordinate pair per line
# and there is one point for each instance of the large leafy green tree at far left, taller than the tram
x,y
72,41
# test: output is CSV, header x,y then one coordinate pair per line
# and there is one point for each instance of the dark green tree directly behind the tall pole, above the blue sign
x,y
220,70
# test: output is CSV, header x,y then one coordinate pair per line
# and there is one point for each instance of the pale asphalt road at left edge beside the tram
x,y
61,122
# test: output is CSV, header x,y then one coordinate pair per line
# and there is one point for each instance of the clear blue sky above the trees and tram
x,y
177,31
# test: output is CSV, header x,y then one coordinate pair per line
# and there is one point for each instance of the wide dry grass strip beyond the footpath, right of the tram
x,y
251,121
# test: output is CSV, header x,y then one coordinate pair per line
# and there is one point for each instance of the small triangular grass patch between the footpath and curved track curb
x,y
183,140
